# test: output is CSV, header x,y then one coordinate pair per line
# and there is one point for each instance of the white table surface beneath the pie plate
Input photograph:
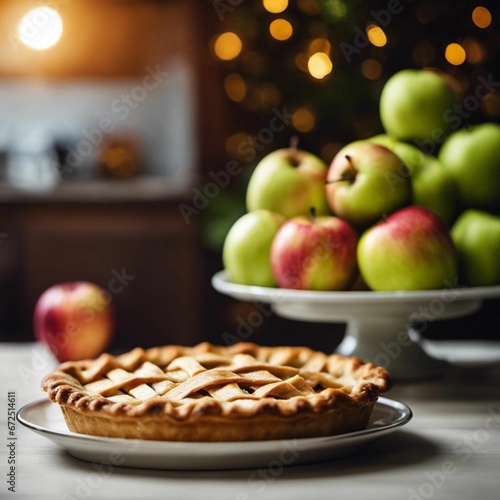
x,y
450,450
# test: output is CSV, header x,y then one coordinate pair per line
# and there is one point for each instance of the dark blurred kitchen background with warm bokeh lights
x,y
129,129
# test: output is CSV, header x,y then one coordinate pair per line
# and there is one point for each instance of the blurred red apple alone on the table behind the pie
x,y
75,319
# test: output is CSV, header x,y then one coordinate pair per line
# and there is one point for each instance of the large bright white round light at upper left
x,y
40,28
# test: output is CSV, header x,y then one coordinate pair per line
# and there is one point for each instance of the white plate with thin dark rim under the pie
x,y
45,418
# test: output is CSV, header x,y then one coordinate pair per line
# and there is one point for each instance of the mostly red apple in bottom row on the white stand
x,y
314,253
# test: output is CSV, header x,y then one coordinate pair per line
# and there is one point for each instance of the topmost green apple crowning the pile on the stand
x,y
415,104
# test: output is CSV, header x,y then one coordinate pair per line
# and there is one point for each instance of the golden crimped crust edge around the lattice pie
x,y
369,382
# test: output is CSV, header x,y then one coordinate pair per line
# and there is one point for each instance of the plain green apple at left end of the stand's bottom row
x,y
247,247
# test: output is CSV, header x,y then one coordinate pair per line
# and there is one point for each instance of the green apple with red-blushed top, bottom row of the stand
x,y
412,249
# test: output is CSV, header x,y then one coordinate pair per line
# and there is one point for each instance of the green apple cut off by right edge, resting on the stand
x,y
477,239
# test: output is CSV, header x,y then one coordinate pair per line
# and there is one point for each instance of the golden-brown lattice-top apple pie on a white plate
x,y
216,393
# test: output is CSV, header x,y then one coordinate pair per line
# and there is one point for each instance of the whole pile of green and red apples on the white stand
x,y
416,208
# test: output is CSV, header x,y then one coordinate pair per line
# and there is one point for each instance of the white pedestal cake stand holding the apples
x,y
379,324
